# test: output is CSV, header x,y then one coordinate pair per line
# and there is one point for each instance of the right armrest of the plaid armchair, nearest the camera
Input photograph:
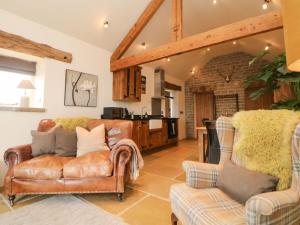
x,y
268,203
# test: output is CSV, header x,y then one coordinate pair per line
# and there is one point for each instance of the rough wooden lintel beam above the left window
x,y
20,44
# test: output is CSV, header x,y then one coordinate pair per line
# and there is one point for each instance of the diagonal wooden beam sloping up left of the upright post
x,y
136,29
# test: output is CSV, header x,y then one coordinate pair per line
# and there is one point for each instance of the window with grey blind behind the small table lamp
x,y
12,72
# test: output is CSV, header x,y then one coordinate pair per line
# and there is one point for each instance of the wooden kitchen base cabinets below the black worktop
x,y
147,139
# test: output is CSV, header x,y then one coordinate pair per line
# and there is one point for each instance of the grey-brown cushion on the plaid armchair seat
x,y
241,184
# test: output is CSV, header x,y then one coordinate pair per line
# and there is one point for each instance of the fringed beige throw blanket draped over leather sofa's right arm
x,y
136,162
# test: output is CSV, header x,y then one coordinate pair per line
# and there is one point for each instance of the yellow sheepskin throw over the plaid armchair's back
x,y
264,143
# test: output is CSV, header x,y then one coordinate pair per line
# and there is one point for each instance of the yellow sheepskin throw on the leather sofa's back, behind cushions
x,y
71,123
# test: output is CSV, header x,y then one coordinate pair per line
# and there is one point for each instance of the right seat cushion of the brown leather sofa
x,y
90,165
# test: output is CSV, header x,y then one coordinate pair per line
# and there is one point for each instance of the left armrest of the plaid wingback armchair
x,y
201,175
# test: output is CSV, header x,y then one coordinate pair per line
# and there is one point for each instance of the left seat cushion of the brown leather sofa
x,y
44,167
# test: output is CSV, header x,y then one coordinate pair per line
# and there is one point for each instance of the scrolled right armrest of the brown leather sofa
x,y
120,156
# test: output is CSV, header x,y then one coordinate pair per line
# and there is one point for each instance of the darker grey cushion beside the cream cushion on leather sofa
x,y
66,142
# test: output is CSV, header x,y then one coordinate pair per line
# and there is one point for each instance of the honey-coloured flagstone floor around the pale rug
x,y
146,201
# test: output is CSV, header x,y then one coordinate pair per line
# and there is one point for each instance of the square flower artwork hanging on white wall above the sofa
x,y
80,89
